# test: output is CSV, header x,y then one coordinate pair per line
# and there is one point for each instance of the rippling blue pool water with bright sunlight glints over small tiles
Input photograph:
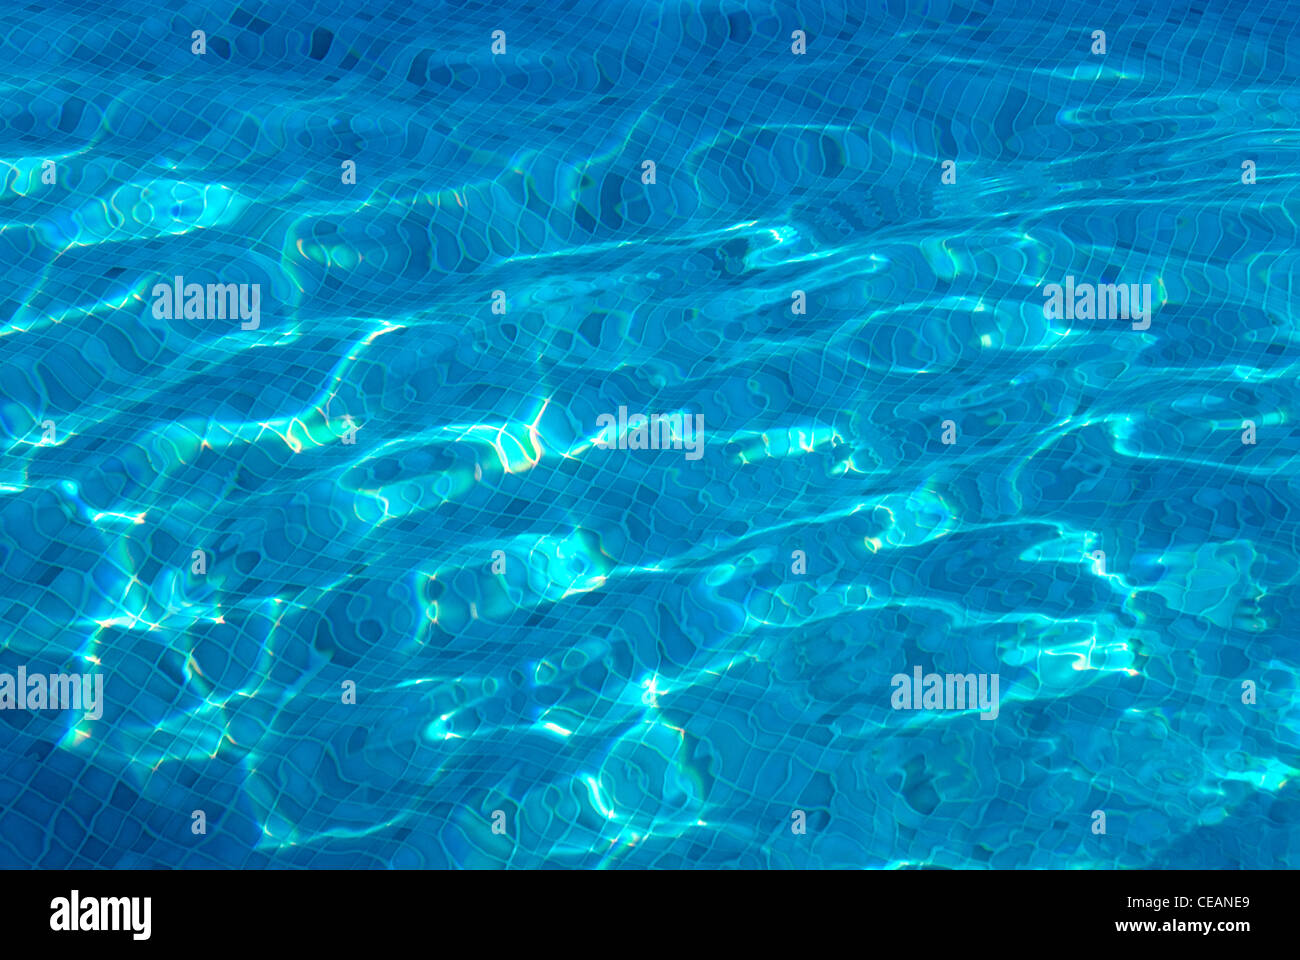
x,y
642,658
